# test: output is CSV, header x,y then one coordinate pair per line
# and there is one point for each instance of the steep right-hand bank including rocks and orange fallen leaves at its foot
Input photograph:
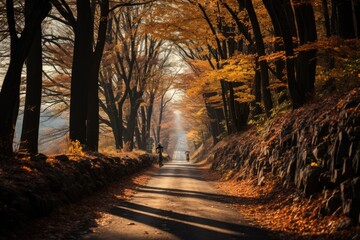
x,y
301,171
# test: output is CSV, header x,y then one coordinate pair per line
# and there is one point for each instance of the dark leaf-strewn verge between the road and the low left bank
x,y
69,221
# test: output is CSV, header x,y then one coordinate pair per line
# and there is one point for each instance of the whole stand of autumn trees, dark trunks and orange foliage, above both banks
x,y
113,68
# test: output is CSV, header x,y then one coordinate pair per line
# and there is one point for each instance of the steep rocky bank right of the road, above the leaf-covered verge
x,y
315,149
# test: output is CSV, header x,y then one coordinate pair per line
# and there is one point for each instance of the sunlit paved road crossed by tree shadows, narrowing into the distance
x,y
177,203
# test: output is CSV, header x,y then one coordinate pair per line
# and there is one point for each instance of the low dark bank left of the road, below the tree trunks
x,y
32,187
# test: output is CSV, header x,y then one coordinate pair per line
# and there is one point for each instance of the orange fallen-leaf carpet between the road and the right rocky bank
x,y
284,211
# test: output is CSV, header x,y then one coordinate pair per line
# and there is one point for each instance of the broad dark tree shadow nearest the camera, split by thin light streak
x,y
186,226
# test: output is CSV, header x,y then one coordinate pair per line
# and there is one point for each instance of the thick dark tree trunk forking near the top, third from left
x,y
87,54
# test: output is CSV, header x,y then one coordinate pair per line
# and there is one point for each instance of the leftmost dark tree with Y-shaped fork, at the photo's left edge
x,y
20,47
